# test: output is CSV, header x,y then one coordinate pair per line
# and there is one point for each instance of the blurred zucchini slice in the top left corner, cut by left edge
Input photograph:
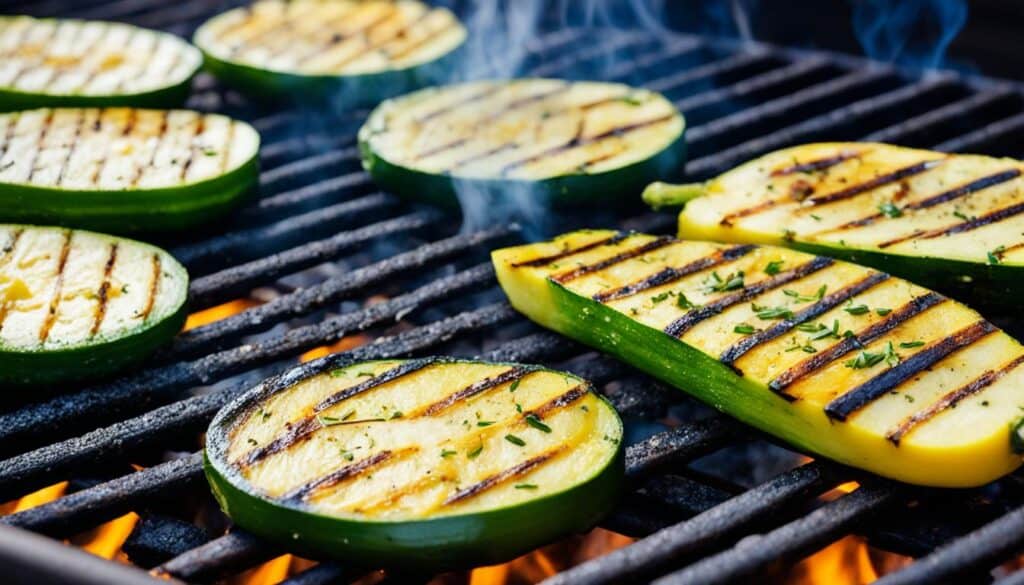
x,y
68,63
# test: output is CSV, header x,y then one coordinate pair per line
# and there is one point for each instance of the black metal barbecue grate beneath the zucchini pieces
x,y
320,243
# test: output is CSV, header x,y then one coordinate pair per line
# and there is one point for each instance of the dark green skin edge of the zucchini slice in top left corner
x,y
165,98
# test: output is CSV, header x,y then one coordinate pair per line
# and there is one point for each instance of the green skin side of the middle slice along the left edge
x,y
133,212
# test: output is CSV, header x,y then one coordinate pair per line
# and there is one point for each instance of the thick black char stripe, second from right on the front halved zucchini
x,y
855,400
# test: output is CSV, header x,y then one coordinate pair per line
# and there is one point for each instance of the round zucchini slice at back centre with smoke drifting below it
x,y
568,142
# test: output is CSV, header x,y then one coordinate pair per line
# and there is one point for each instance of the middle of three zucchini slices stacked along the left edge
x,y
123,170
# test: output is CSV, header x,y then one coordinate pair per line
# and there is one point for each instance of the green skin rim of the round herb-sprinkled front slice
x,y
436,545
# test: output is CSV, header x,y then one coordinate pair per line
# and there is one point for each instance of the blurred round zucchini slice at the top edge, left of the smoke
x,y
352,51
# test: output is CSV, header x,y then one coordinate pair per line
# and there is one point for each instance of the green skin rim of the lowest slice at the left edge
x,y
99,358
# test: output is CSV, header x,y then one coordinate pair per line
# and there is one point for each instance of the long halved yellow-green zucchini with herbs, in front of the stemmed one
x,y
834,358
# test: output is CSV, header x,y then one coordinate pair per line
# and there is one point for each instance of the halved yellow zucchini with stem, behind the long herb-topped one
x,y
951,222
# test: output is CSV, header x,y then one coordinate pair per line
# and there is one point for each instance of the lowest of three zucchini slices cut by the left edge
x,y
80,306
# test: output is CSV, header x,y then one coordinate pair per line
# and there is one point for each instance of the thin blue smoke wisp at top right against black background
x,y
912,33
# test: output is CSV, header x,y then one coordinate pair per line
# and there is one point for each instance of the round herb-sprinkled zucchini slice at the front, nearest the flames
x,y
420,464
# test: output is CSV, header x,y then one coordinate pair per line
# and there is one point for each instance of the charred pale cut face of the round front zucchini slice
x,y
414,439
